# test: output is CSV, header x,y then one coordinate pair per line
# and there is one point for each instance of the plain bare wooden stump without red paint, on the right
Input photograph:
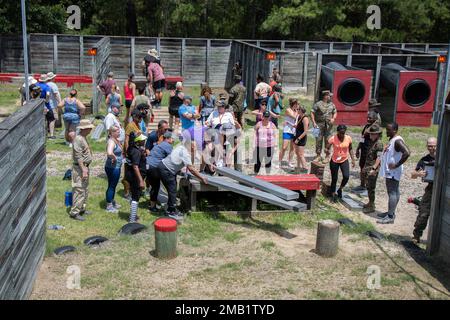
x,y
327,238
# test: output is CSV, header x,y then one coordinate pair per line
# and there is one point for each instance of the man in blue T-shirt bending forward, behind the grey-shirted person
x,y
157,154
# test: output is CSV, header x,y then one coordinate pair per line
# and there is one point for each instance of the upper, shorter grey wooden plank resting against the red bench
x,y
280,192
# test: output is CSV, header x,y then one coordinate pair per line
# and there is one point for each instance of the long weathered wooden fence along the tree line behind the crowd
x,y
197,60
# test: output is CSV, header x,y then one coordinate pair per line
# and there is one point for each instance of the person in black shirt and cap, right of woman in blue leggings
x,y
135,171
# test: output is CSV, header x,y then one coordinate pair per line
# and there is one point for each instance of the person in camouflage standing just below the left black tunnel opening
x,y
323,116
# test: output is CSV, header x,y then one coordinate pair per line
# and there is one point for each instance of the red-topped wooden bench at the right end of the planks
x,y
297,182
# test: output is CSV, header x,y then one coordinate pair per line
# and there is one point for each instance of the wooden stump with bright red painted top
x,y
166,238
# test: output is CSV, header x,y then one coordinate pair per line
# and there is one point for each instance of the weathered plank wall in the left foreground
x,y
22,200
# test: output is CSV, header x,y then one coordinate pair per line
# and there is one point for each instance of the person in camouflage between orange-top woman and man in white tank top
x,y
372,165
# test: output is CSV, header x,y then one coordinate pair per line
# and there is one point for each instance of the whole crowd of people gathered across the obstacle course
x,y
212,133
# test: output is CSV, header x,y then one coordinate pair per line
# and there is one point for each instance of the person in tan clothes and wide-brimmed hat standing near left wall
x,y
82,158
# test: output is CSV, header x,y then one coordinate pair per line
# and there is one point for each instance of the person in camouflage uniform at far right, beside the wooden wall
x,y
425,204
